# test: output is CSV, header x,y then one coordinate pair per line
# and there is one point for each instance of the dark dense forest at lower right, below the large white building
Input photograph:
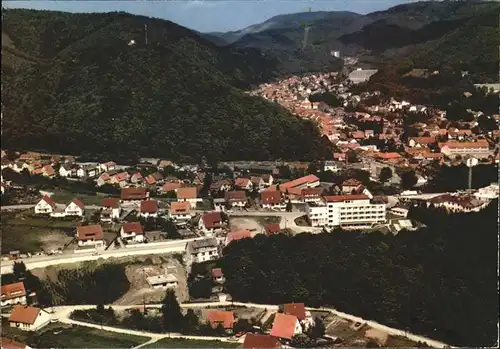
x,y
440,281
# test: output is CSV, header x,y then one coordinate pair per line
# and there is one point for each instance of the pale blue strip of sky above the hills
x,y
209,15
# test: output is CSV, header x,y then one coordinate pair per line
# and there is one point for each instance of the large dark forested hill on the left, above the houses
x,y
75,83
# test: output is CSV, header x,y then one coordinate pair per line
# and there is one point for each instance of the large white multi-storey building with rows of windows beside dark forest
x,y
346,211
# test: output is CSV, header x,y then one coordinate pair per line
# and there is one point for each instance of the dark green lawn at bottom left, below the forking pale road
x,y
86,337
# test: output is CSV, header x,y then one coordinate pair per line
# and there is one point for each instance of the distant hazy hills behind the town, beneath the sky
x,y
351,33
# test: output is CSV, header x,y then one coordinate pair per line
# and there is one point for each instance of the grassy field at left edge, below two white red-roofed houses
x,y
27,233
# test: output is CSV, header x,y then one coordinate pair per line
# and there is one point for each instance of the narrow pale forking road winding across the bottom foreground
x,y
62,314
